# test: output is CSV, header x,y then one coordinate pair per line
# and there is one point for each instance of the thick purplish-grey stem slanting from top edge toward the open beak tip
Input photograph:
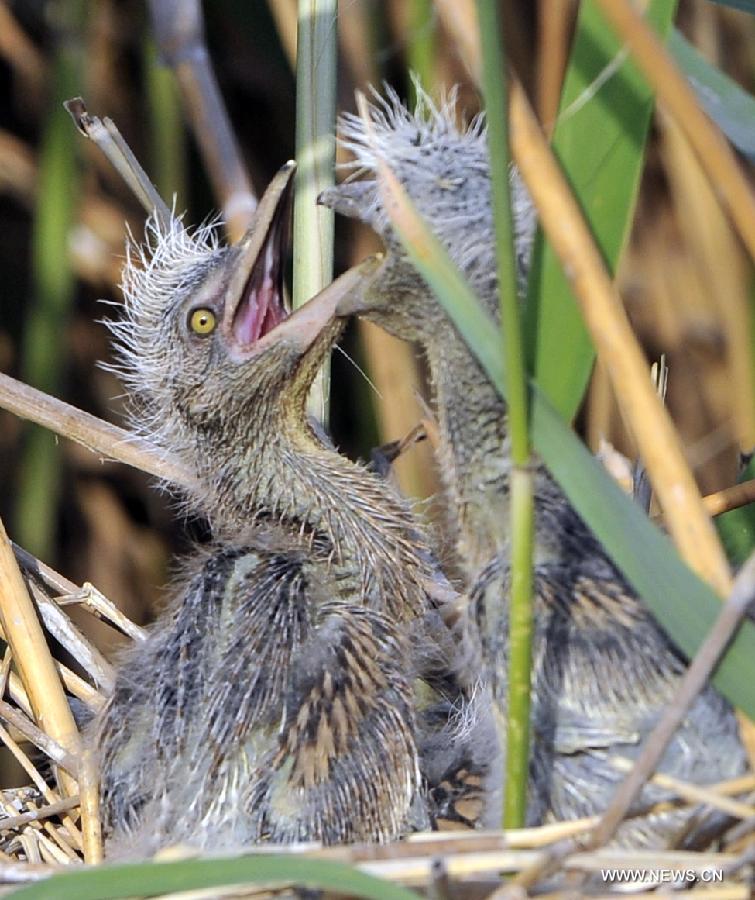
x,y
179,32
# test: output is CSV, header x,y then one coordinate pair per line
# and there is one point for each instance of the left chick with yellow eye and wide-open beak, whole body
x,y
273,700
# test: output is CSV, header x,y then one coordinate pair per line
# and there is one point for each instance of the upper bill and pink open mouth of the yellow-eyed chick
x,y
257,304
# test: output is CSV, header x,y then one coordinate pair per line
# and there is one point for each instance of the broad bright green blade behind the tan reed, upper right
x,y
599,140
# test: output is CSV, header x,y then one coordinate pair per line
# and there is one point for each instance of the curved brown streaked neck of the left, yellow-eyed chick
x,y
286,478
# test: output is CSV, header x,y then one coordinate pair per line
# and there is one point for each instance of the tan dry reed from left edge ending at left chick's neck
x,y
89,431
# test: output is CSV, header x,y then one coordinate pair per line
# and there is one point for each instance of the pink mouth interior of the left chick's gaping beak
x,y
261,307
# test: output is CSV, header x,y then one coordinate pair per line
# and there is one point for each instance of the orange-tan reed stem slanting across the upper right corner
x,y
715,155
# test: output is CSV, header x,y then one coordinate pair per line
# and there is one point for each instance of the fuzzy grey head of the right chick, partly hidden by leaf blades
x,y
445,171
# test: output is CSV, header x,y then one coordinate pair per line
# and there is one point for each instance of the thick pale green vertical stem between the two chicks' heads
x,y
316,55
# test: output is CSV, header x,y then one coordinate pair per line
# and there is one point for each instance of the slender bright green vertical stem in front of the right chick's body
x,y
495,90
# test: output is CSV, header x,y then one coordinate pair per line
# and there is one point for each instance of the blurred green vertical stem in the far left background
x,y
53,290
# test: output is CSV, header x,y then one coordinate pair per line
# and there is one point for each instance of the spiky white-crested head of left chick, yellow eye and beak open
x,y
207,346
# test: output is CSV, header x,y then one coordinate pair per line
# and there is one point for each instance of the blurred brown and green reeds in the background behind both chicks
x,y
63,217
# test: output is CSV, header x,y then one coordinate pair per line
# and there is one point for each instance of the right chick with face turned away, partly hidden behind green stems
x,y
603,668
